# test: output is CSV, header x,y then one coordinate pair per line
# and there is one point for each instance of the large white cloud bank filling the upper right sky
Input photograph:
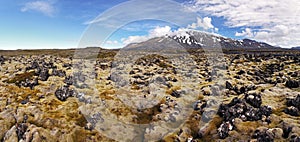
x,y
274,21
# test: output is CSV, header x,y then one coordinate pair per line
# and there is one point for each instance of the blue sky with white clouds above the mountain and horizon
x,y
53,24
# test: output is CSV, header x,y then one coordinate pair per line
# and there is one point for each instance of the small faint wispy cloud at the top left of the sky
x,y
45,7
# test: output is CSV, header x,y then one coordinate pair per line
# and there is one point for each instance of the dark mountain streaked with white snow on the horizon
x,y
197,39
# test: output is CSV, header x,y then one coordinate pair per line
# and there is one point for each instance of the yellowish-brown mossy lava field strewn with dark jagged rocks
x,y
241,96
